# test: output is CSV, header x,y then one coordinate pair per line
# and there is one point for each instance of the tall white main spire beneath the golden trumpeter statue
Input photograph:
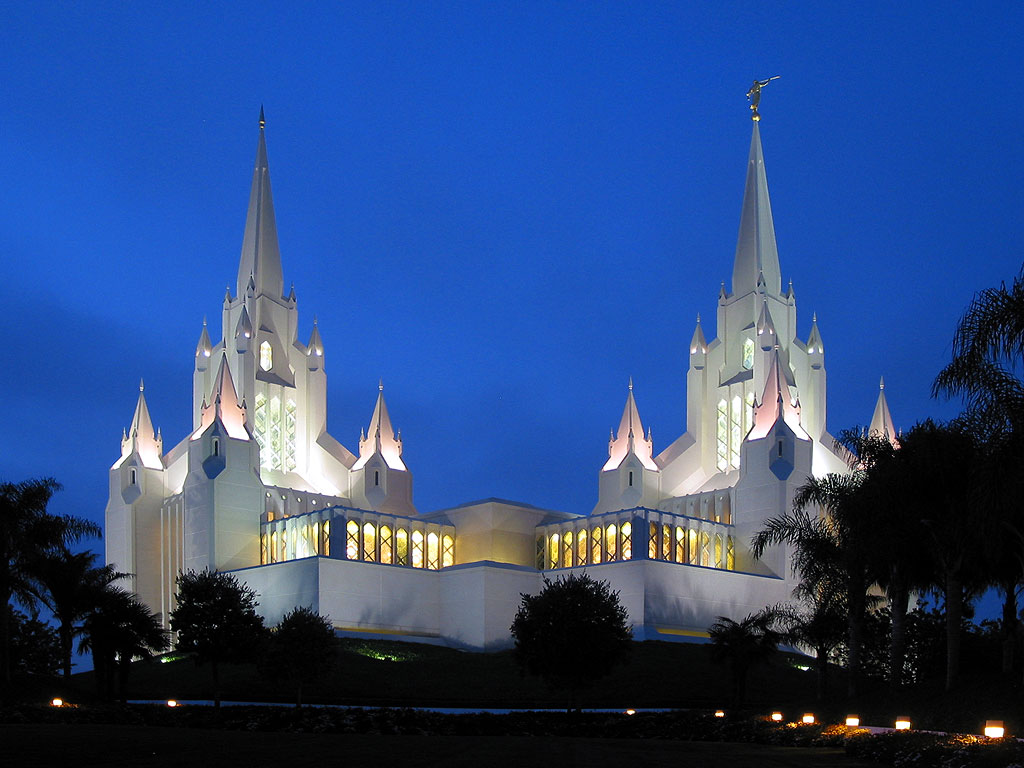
x,y
757,254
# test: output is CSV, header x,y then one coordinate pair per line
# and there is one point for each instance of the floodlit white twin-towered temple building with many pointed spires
x,y
261,489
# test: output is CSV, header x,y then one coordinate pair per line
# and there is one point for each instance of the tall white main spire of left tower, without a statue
x,y
261,254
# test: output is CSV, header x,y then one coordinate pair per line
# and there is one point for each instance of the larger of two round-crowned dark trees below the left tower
x,y
217,620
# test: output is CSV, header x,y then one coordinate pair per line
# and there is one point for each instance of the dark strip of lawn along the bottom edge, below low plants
x,y
156,748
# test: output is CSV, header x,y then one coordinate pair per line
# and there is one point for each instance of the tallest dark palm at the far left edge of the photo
x,y
26,531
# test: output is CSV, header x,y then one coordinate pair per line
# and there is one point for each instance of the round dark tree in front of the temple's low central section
x,y
573,633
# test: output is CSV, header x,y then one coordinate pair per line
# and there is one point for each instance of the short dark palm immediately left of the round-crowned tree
x,y
117,630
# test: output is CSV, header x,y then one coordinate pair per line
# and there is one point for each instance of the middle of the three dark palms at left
x,y
70,584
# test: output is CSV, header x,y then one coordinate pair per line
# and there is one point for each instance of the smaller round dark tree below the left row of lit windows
x,y
303,649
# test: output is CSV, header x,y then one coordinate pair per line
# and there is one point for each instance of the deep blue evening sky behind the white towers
x,y
503,209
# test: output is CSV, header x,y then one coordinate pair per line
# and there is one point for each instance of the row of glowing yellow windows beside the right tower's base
x,y
567,549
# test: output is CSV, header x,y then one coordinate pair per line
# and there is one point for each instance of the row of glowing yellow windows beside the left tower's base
x,y
369,543
